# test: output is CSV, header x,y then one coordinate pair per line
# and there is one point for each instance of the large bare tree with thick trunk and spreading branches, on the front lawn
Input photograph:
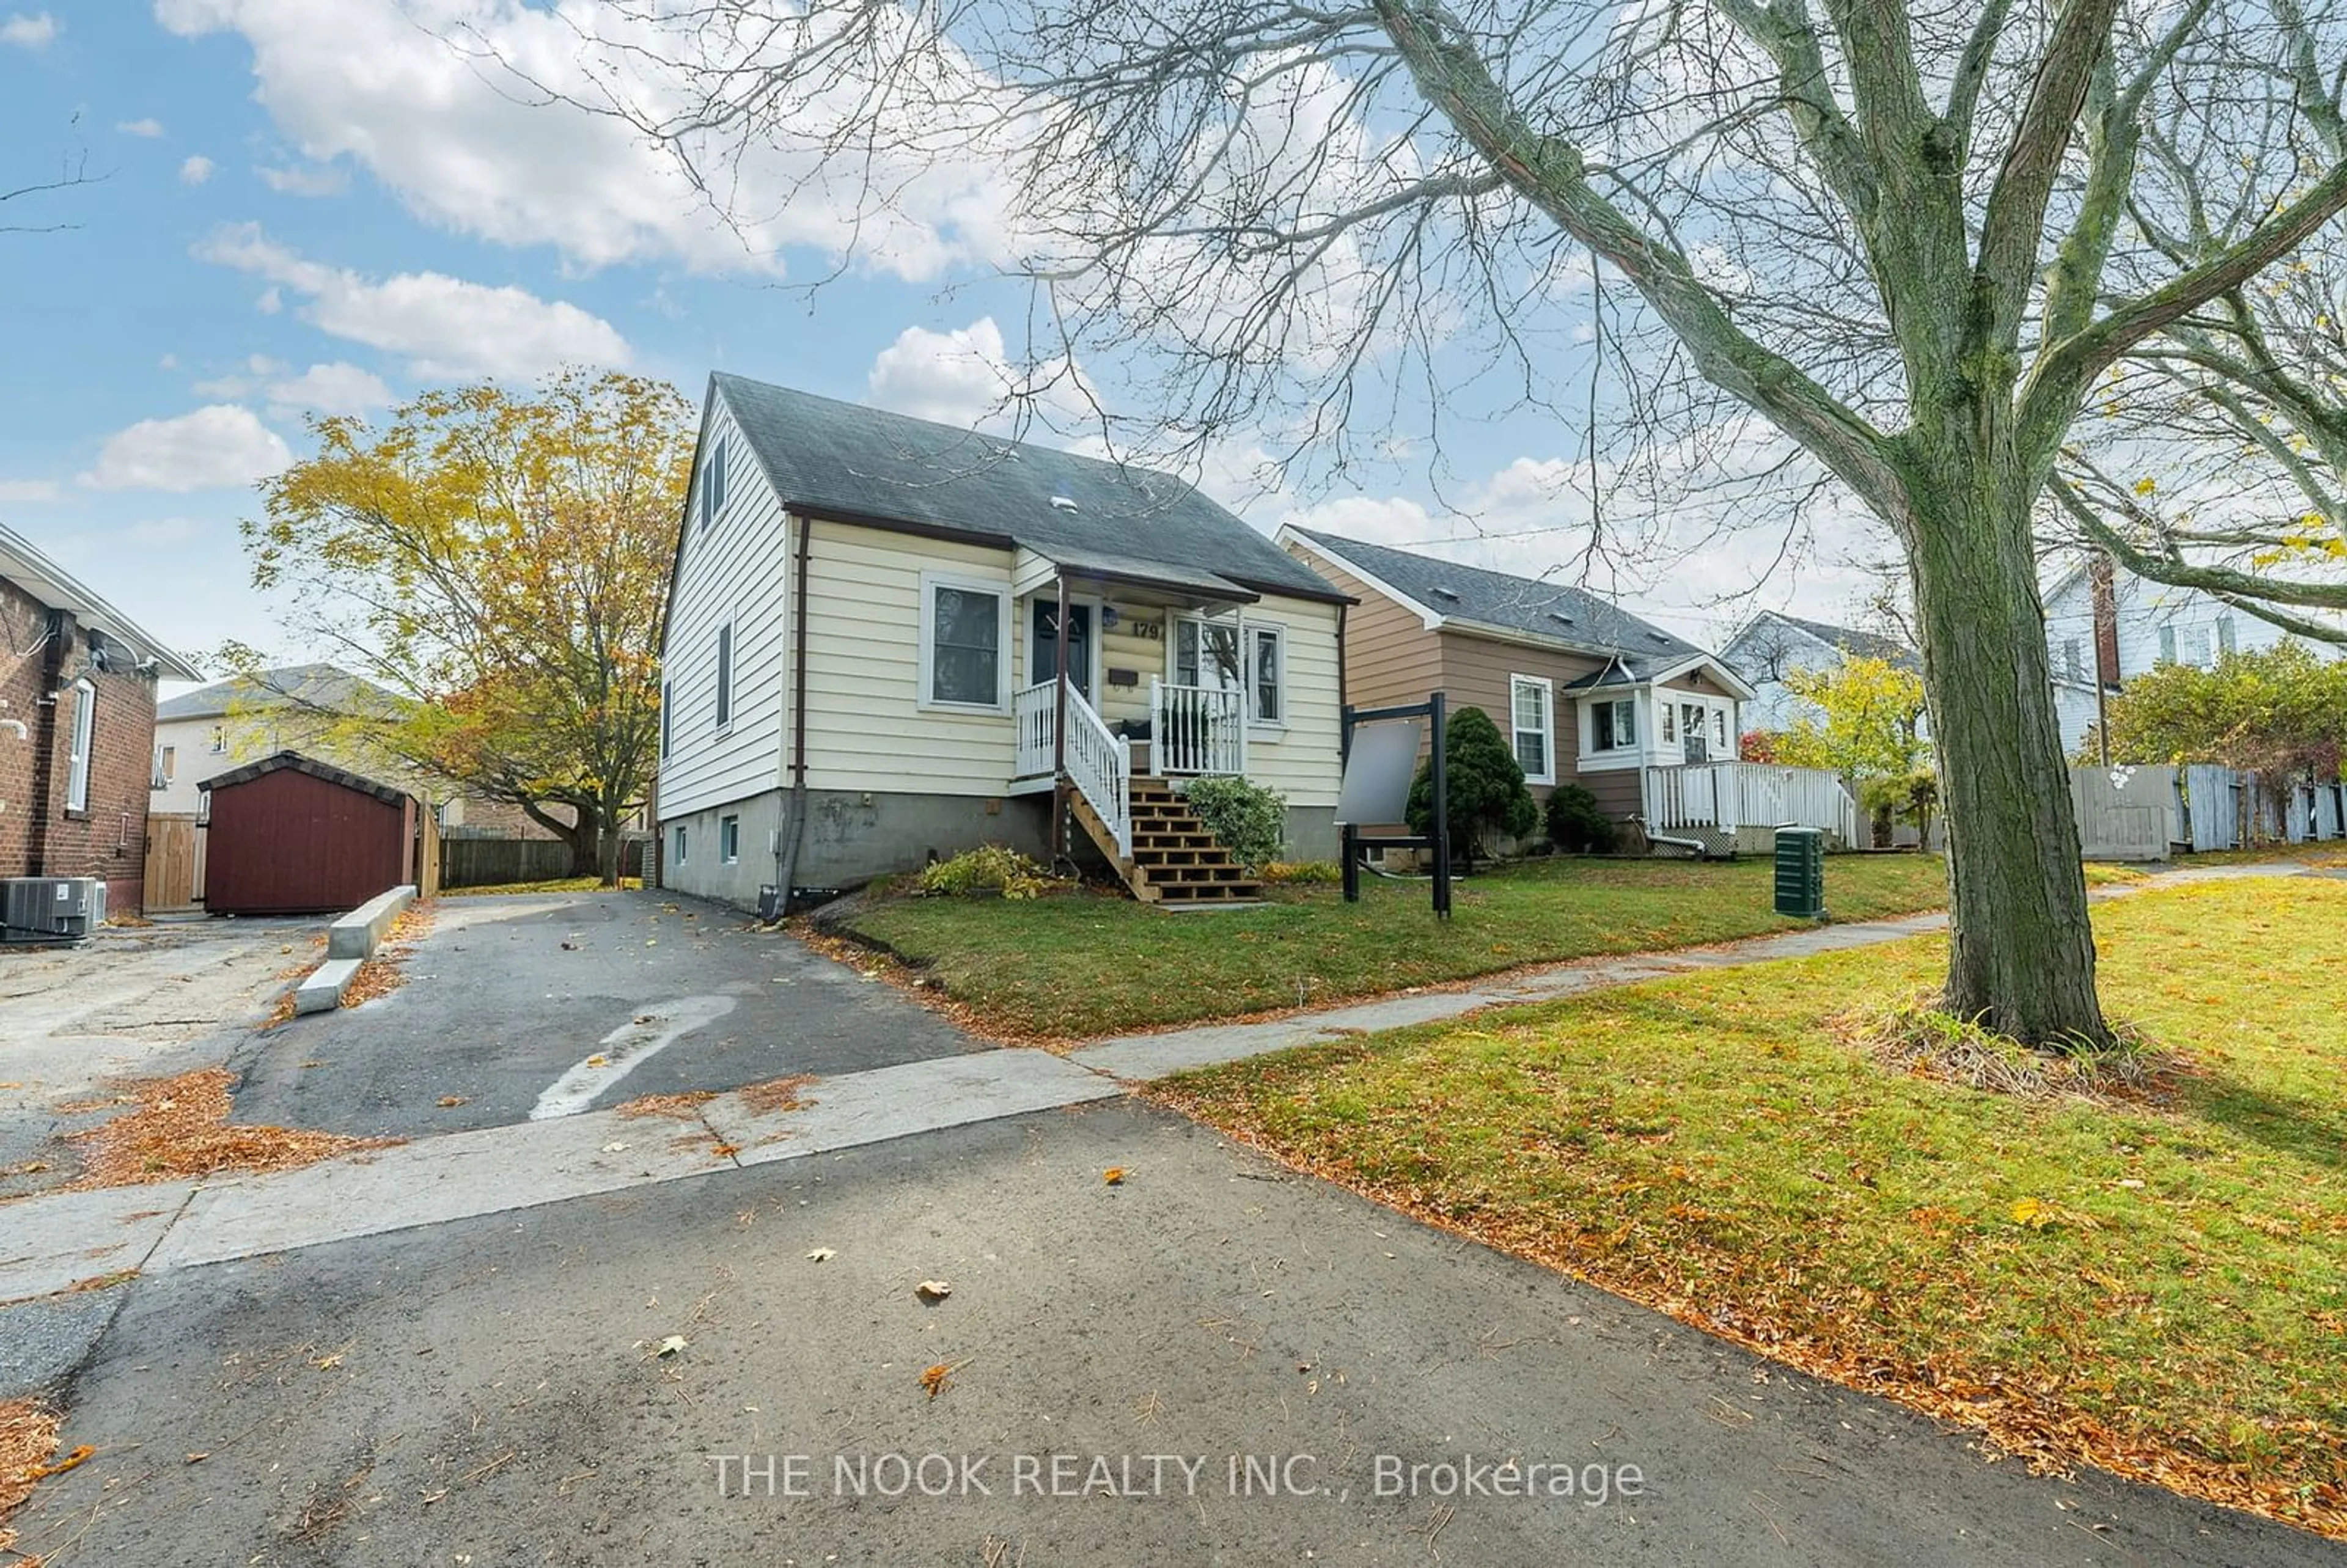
x,y
1907,238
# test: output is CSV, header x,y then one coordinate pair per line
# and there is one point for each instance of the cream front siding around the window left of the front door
x,y
867,726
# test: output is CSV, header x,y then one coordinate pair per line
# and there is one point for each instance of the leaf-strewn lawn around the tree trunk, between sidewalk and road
x,y
2153,1287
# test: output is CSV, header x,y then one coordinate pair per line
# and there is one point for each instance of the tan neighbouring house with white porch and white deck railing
x,y
1585,691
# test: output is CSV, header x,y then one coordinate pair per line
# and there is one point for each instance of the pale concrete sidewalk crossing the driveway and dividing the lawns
x,y
62,1241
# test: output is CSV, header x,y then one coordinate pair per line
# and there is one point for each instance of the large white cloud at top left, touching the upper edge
x,y
445,104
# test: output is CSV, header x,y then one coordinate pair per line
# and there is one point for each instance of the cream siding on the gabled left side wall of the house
x,y
733,574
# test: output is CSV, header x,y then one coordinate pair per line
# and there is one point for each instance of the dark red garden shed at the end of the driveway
x,y
297,837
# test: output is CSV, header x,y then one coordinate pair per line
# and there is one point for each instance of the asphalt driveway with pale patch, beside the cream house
x,y
513,994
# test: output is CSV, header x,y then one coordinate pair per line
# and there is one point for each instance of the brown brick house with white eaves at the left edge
x,y
76,729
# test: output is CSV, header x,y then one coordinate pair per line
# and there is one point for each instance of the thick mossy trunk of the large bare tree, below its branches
x,y
2022,954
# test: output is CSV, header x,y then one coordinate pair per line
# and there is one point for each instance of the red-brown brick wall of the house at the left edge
x,y
39,832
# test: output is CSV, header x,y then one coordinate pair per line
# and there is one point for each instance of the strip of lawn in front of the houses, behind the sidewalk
x,y
1095,964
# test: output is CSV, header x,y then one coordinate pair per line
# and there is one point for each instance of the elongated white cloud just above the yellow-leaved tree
x,y
445,327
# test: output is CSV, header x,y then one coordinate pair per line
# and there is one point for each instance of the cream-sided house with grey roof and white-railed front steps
x,y
888,642
